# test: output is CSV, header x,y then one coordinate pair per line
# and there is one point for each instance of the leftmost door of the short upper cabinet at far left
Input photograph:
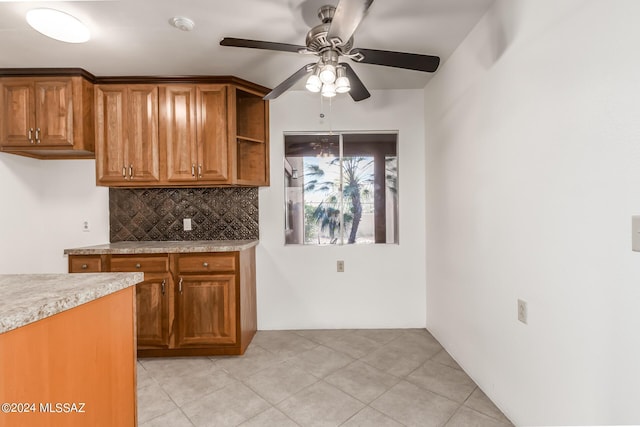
x,y
18,112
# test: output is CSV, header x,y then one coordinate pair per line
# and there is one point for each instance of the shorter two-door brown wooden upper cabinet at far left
x,y
47,116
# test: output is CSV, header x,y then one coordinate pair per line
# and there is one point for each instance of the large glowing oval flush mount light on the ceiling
x,y
58,25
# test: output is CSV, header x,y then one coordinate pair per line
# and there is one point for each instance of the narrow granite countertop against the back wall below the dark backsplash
x,y
162,247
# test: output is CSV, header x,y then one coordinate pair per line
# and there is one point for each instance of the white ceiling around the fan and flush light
x,y
133,37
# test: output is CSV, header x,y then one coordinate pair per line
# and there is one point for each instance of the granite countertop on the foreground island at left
x,y
26,298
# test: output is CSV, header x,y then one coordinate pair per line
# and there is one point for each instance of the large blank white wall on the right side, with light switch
x,y
533,173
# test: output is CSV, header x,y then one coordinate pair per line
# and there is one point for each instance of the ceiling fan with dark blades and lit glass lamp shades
x,y
331,40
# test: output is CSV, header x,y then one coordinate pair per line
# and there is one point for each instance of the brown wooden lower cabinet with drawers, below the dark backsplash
x,y
190,304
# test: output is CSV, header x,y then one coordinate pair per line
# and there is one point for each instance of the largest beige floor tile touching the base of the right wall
x,y
448,382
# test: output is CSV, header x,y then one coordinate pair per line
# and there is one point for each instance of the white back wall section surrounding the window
x,y
383,285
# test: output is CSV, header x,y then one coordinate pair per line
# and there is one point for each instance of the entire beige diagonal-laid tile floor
x,y
403,374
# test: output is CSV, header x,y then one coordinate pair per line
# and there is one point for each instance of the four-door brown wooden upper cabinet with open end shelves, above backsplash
x,y
206,134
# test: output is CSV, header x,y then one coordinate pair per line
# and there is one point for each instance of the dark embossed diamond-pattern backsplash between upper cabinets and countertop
x,y
157,213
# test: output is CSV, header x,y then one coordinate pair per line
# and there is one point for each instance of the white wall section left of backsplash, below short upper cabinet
x,y
43,204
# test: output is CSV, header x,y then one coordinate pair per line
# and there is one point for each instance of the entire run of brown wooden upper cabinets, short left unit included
x,y
192,131
